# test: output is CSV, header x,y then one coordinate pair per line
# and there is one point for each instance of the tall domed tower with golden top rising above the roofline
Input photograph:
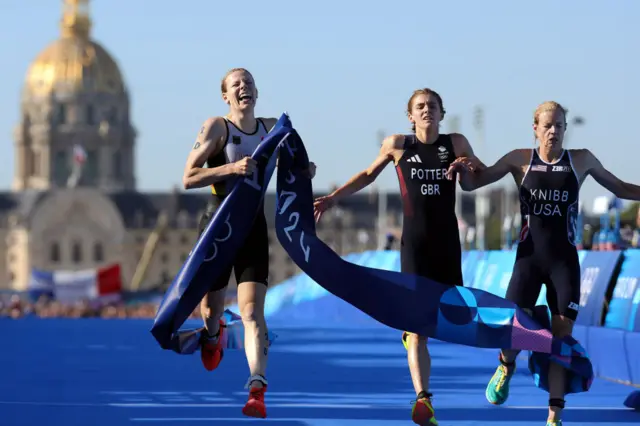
x,y
74,96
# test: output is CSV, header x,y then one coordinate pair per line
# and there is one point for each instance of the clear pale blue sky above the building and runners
x,y
344,70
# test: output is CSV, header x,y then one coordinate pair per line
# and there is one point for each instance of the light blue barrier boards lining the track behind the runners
x,y
613,347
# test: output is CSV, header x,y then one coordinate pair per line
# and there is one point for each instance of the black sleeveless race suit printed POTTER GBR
x,y
430,244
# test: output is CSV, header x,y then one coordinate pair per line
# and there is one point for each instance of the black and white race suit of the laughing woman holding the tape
x,y
252,260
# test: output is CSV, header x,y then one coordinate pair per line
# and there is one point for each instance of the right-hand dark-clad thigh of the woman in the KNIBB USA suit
x,y
563,288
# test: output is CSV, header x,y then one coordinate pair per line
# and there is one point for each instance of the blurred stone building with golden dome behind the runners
x,y
74,95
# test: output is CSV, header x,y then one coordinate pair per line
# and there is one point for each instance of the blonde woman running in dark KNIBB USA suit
x,y
549,179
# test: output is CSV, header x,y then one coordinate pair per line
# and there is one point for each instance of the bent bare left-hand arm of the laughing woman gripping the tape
x,y
209,142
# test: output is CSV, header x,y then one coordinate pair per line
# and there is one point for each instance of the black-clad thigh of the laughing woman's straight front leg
x,y
252,261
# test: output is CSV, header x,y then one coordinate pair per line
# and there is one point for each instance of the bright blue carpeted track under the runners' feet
x,y
112,372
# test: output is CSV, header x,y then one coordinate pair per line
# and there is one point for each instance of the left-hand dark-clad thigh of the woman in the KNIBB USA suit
x,y
525,283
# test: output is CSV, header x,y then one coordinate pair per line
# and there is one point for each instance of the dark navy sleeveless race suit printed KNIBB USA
x,y
546,250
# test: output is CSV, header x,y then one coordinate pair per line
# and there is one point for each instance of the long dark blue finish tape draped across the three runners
x,y
405,302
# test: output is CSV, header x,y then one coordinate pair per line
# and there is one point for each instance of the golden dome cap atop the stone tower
x,y
74,63
